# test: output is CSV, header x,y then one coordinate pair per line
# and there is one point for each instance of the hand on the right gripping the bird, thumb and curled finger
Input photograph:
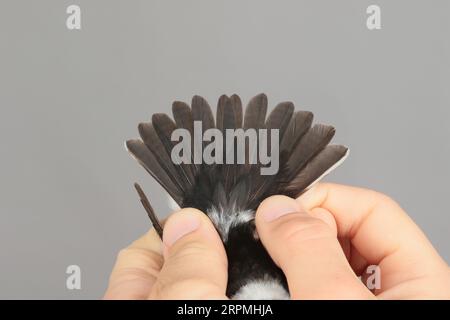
x,y
329,235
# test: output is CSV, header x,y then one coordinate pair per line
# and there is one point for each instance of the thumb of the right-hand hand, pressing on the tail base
x,y
307,250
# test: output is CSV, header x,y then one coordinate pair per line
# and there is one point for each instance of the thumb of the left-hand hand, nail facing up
x,y
195,263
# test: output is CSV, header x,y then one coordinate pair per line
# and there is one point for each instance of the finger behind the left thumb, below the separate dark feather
x,y
136,269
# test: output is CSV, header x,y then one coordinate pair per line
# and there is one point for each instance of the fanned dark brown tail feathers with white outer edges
x,y
305,156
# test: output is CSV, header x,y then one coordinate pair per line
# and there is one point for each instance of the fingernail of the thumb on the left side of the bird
x,y
179,225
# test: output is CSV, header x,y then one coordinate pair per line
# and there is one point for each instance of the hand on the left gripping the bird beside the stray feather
x,y
190,263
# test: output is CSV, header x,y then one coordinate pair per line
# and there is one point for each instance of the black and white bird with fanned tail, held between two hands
x,y
230,193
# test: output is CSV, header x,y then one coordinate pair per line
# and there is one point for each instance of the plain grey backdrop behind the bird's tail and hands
x,y
69,99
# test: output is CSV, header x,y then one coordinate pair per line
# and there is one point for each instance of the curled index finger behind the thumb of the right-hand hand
x,y
379,230
